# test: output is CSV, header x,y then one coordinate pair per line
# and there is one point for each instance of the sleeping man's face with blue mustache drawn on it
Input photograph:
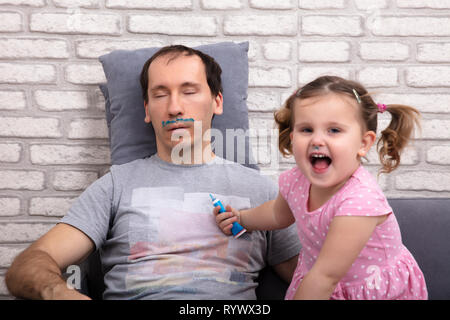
x,y
178,95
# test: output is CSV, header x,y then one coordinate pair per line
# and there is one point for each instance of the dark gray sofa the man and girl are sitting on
x,y
425,227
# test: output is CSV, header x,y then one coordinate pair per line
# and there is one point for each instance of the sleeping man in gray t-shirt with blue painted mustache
x,y
152,219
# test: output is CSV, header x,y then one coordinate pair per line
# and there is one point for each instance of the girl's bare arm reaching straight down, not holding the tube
x,y
346,237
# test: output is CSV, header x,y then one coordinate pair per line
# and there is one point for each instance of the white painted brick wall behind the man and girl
x,y
53,135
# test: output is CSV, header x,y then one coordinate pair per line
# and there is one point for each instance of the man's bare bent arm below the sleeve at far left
x,y
36,272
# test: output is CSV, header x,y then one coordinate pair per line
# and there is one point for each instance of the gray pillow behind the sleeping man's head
x,y
131,138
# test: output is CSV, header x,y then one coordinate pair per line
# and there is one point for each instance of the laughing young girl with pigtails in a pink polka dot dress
x,y
352,247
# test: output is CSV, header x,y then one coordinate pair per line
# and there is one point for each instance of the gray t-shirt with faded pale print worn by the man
x,y
153,222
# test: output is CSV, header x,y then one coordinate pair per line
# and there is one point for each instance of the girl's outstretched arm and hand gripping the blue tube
x,y
271,215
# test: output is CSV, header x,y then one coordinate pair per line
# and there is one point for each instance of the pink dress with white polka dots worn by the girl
x,y
384,270
